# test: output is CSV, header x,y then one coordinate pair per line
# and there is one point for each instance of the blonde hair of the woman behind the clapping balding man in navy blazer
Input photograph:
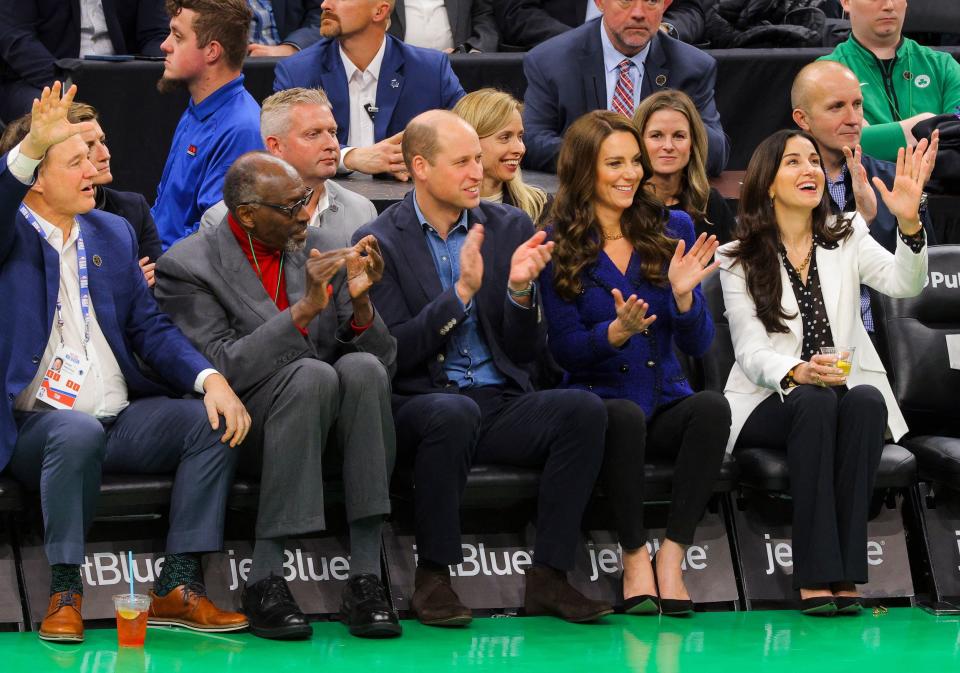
x,y
488,111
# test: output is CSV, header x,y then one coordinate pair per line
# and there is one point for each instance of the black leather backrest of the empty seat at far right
x,y
914,332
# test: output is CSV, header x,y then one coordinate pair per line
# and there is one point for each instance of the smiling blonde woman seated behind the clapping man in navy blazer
x,y
496,117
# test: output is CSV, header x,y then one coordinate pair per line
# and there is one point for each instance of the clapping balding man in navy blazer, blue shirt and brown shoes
x,y
459,295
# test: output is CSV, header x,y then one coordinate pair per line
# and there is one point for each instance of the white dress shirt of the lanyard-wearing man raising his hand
x,y
104,390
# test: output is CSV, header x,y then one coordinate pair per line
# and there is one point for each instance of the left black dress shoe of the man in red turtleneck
x,y
272,611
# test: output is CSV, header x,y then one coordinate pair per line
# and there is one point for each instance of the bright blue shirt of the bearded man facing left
x,y
208,138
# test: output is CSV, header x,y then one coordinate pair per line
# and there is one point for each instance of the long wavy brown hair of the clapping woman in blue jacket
x,y
575,227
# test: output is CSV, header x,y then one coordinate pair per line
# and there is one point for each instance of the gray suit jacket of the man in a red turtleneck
x,y
209,289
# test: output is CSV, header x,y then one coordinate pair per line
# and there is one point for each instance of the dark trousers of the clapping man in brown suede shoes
x,y
559,430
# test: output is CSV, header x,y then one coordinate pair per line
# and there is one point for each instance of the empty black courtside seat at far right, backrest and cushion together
x,y
914,334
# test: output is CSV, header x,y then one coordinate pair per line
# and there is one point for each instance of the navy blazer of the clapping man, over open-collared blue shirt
x,y
420,314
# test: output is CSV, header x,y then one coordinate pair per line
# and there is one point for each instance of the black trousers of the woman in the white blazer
x,y
833,438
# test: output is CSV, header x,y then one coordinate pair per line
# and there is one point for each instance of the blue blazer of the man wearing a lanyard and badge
x,y
126,311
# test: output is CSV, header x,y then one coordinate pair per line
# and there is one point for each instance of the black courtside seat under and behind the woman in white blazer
x,y
765,469
